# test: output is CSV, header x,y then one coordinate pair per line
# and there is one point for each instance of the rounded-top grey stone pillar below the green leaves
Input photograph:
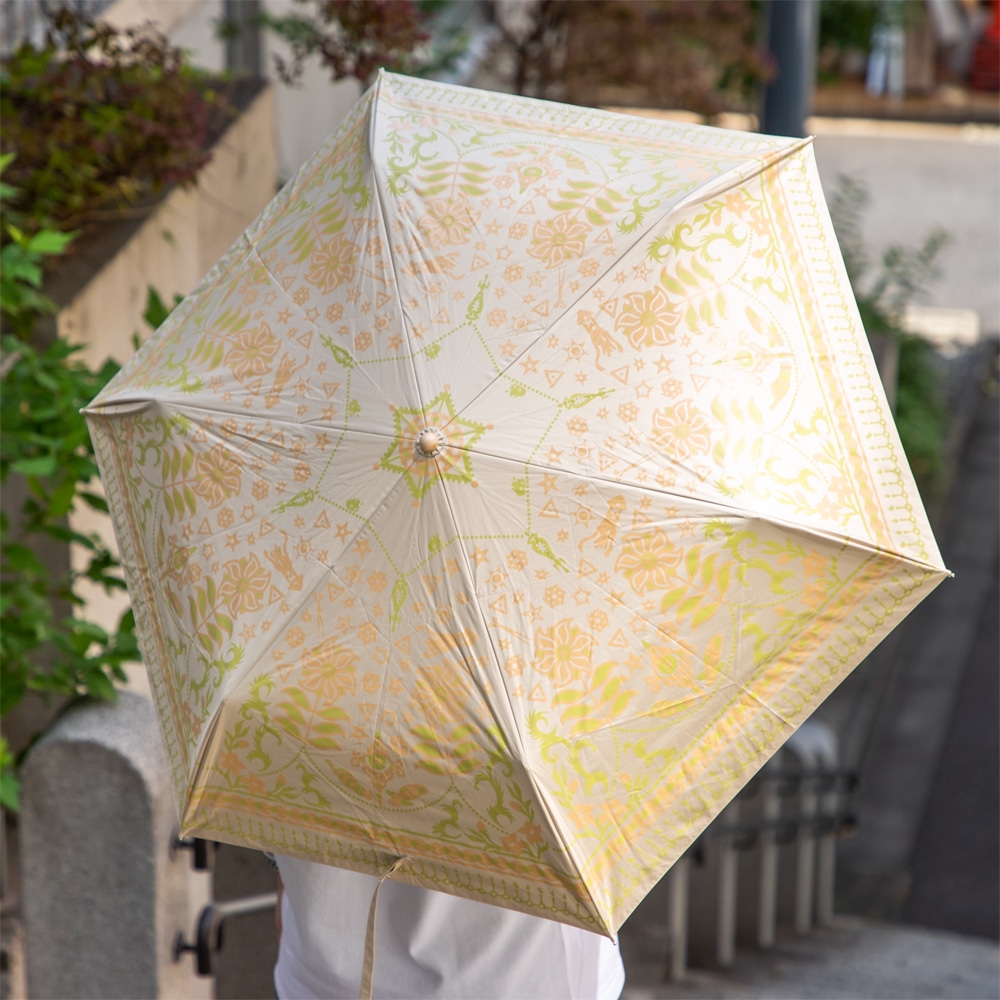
x,y
103,899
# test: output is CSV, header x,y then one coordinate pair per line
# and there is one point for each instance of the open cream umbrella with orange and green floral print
x,y
506,496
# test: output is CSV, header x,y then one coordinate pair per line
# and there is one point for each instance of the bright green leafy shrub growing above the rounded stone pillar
x,y
44,443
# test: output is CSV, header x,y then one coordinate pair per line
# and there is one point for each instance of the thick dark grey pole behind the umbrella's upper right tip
x,y
791,34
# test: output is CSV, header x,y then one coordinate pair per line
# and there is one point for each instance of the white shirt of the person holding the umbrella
x,y
429,945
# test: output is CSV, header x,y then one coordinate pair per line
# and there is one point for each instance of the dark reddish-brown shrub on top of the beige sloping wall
x,y
99,117
